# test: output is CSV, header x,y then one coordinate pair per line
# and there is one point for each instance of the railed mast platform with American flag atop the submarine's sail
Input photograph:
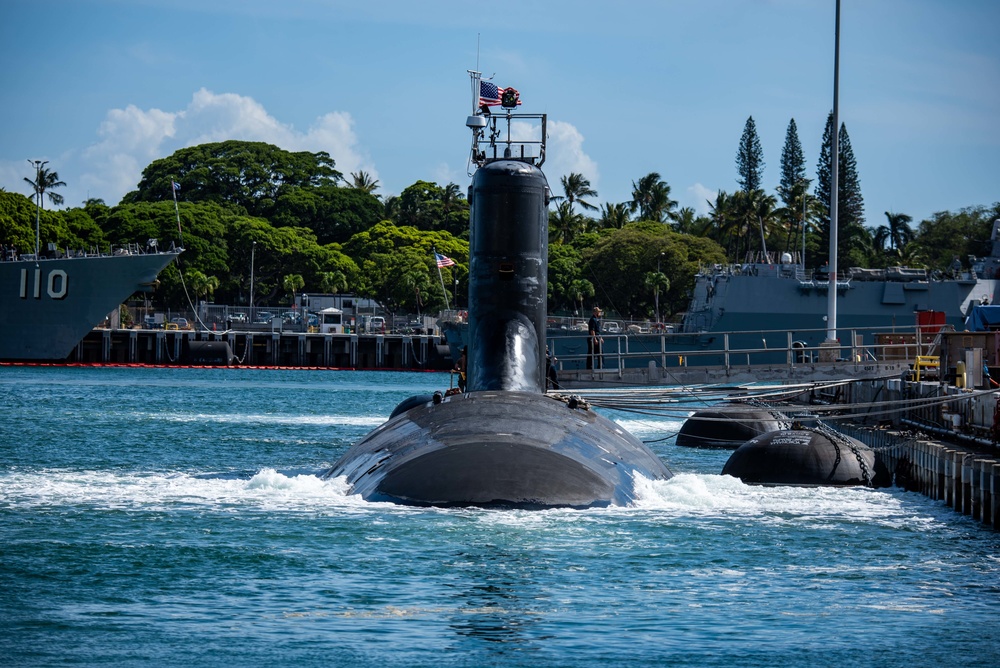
x,y
498,136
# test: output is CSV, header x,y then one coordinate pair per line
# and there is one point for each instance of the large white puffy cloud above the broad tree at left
x,y
131,138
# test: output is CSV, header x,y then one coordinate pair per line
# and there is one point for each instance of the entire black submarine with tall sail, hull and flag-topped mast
x,y
503,442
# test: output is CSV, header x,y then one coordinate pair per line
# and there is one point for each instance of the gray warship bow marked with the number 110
x,y
49,303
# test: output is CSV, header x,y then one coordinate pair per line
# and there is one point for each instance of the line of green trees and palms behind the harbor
x,y
298,224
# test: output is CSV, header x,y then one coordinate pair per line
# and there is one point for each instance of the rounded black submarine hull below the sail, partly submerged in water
x,y
500,448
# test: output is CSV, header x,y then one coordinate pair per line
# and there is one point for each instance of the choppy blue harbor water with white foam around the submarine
x,y
175,517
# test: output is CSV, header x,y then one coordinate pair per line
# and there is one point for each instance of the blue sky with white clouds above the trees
x,y
100,88
